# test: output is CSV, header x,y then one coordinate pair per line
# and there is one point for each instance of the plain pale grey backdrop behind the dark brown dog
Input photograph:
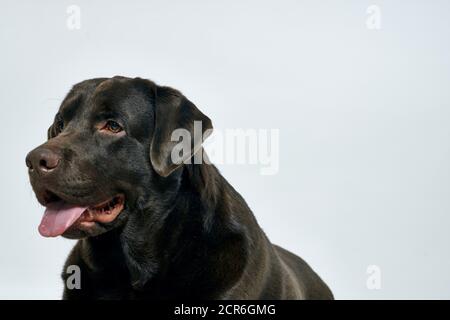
x,y
363,116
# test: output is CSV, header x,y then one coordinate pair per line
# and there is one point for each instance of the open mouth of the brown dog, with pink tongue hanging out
x,y
60,215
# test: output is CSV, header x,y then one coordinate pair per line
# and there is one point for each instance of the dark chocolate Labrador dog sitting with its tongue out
x,y
151,228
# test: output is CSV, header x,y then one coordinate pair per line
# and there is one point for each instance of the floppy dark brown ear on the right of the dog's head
x,y
174,111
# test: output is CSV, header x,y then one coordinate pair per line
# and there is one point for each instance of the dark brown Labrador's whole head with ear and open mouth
x,y
108,155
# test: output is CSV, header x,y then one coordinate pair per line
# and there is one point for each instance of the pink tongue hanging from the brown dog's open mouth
x,y
58,217
